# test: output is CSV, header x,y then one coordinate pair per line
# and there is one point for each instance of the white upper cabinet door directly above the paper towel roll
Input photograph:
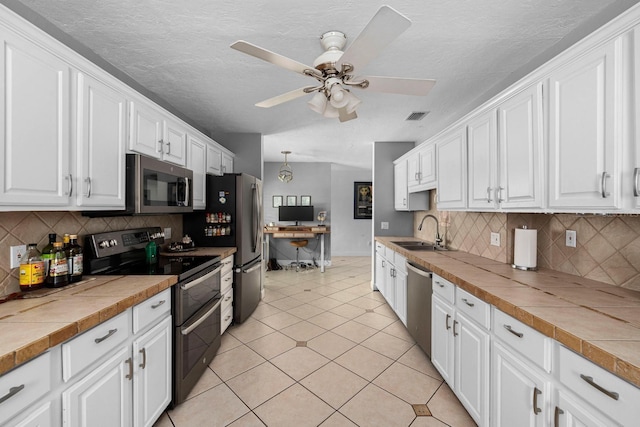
x,y
520,146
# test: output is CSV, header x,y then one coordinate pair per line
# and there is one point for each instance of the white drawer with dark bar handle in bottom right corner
x,y
598,387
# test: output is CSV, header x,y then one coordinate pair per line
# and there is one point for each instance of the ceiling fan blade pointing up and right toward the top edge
x,y
385,26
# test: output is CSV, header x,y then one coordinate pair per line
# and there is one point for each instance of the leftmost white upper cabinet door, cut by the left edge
x,y
35,126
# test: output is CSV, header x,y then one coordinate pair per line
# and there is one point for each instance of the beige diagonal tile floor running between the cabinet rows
x,y
321,349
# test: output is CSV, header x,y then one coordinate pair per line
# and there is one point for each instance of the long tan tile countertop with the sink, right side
x,y
595,319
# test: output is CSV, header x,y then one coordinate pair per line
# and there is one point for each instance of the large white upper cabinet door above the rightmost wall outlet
x,y
584,130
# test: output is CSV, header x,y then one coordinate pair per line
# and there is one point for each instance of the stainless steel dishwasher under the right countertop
x,y
419,291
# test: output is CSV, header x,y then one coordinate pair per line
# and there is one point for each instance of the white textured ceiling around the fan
x,y
180,51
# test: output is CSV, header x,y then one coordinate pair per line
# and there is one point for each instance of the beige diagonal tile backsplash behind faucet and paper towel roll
x,y
607,250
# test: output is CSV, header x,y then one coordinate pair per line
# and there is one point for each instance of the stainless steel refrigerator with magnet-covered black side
x,y
233,218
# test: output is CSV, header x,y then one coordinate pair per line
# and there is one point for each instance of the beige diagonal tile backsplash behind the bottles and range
x,y
21,228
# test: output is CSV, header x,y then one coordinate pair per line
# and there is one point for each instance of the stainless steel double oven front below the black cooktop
x,y
196,319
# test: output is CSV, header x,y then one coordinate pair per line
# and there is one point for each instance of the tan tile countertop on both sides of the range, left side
x,y
48,317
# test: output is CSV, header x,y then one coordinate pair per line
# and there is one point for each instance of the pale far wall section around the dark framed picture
x,y
350,237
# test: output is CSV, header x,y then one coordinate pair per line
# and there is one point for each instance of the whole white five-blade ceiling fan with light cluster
x,y
334,68
